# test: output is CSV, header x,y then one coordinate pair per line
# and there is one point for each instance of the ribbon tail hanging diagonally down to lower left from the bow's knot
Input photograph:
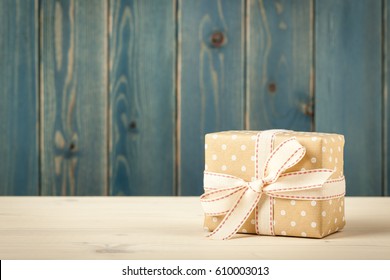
x,y
238,214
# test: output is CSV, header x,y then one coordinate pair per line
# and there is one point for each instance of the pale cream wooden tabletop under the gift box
x,y
170,228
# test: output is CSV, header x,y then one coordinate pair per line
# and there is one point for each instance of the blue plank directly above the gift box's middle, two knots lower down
x,y
279,64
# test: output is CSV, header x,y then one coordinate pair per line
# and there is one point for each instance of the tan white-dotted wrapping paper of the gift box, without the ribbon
x,y
233,153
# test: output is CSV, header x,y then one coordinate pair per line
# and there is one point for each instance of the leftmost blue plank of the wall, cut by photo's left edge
x,y
19,98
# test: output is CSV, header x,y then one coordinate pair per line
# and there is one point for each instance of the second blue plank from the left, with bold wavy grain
x,y
74,97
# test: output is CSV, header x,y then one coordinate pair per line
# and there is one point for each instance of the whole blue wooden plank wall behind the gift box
x,y
114,97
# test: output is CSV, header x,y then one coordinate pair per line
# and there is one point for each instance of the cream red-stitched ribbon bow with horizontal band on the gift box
x,y
236,198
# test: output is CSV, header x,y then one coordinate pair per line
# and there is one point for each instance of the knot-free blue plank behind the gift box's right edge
x,y
348,86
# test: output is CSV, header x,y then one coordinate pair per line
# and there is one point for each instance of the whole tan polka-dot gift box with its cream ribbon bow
x,y
273,182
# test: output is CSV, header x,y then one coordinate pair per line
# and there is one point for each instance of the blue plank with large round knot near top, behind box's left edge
x,y
211,81
